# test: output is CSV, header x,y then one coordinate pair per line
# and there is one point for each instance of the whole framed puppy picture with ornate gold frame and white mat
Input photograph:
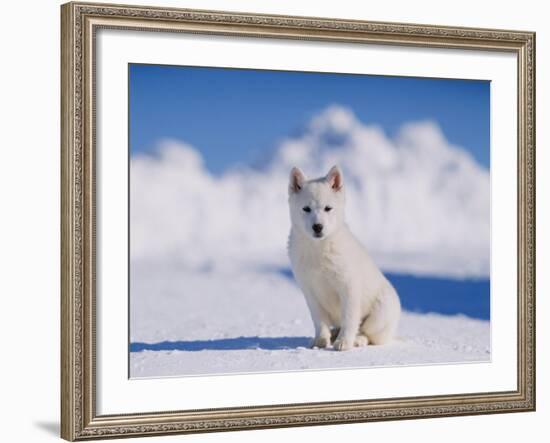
x,y
283,221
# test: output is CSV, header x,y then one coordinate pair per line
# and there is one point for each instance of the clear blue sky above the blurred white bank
x,y
233,116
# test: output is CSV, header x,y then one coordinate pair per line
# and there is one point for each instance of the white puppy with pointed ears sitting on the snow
x,y
350,300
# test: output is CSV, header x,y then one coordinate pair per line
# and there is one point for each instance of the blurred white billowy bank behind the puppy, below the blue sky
x,y
419,204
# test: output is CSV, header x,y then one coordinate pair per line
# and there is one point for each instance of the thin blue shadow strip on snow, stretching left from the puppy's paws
x,y
225,344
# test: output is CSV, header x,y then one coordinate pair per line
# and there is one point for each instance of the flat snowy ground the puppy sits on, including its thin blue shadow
x,y
225,322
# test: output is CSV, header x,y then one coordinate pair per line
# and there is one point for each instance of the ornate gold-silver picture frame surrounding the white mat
x,y
79,21
